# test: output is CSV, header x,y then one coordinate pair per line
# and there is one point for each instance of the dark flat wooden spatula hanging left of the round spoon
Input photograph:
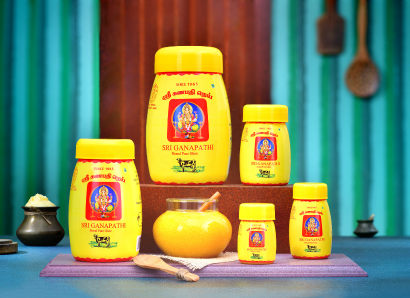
x,y
331,31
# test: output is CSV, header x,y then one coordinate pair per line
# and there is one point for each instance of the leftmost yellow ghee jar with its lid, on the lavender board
x,y
105,215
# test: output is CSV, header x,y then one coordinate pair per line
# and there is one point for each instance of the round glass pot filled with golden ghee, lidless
x,y
183,231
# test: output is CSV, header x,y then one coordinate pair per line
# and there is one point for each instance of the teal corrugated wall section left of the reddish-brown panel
x,y
49,96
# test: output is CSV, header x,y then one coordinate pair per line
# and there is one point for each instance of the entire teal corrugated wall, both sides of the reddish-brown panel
x,y
361,148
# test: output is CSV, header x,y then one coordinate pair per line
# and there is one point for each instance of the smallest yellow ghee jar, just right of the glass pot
x,y
257,234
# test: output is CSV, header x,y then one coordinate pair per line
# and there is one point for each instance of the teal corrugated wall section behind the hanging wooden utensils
x,y
360,148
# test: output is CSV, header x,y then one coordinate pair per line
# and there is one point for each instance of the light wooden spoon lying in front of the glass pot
x,y
152,262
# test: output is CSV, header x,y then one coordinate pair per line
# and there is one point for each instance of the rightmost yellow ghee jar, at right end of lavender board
x,y
310,224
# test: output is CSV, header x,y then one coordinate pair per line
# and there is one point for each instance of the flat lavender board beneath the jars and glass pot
x,y
337,265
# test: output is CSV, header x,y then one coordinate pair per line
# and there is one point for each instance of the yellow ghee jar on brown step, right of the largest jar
x,y
265,146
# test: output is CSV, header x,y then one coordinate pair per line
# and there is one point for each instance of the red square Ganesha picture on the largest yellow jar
x,y
188,120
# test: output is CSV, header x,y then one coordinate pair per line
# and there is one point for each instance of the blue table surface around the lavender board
x,y
385,259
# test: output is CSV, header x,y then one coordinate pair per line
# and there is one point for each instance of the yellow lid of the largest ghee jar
x,y
188,58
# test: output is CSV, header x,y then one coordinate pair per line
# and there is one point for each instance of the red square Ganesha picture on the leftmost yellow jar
x,y
104,201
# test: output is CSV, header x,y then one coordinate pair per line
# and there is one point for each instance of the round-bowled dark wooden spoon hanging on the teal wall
x,y
362,77
